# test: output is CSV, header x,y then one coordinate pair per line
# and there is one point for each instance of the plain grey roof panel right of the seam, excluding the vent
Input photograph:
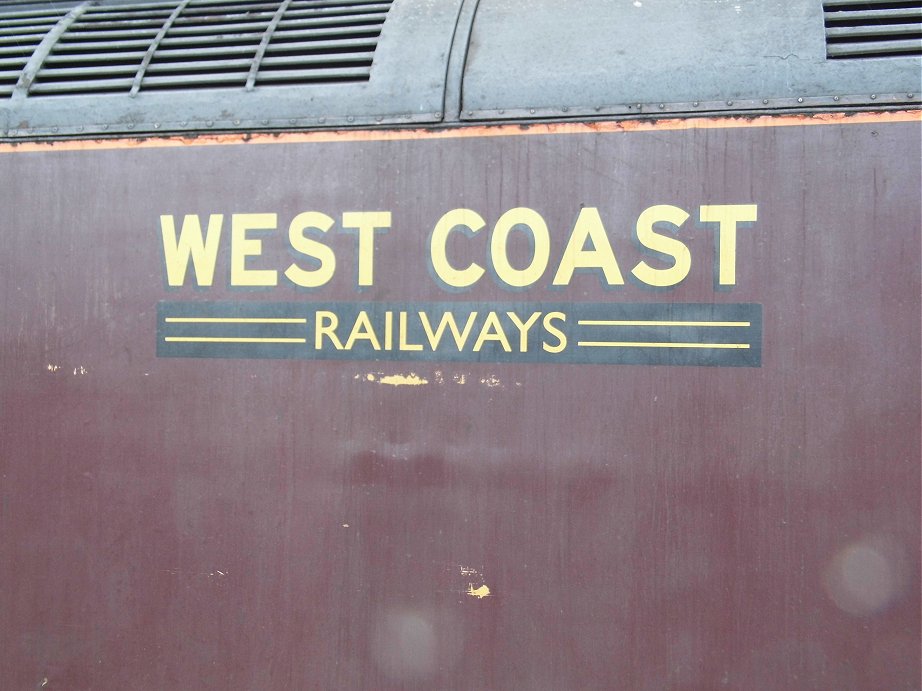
x,y
553,58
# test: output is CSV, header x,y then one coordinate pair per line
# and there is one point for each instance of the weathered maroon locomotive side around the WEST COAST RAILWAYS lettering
x,y
244,523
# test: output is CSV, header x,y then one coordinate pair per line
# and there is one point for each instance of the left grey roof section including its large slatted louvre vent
x,y
189,65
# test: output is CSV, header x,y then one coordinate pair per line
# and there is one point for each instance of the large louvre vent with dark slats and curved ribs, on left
x,y
193,44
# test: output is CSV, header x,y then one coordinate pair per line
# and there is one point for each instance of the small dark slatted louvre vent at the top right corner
x,y
873,28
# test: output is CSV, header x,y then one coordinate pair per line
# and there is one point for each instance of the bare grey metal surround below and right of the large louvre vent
x,y
406,85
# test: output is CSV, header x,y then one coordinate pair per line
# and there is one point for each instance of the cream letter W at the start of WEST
x,y
202,251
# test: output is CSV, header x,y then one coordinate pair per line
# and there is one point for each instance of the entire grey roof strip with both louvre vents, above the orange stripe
x,y
115,67
